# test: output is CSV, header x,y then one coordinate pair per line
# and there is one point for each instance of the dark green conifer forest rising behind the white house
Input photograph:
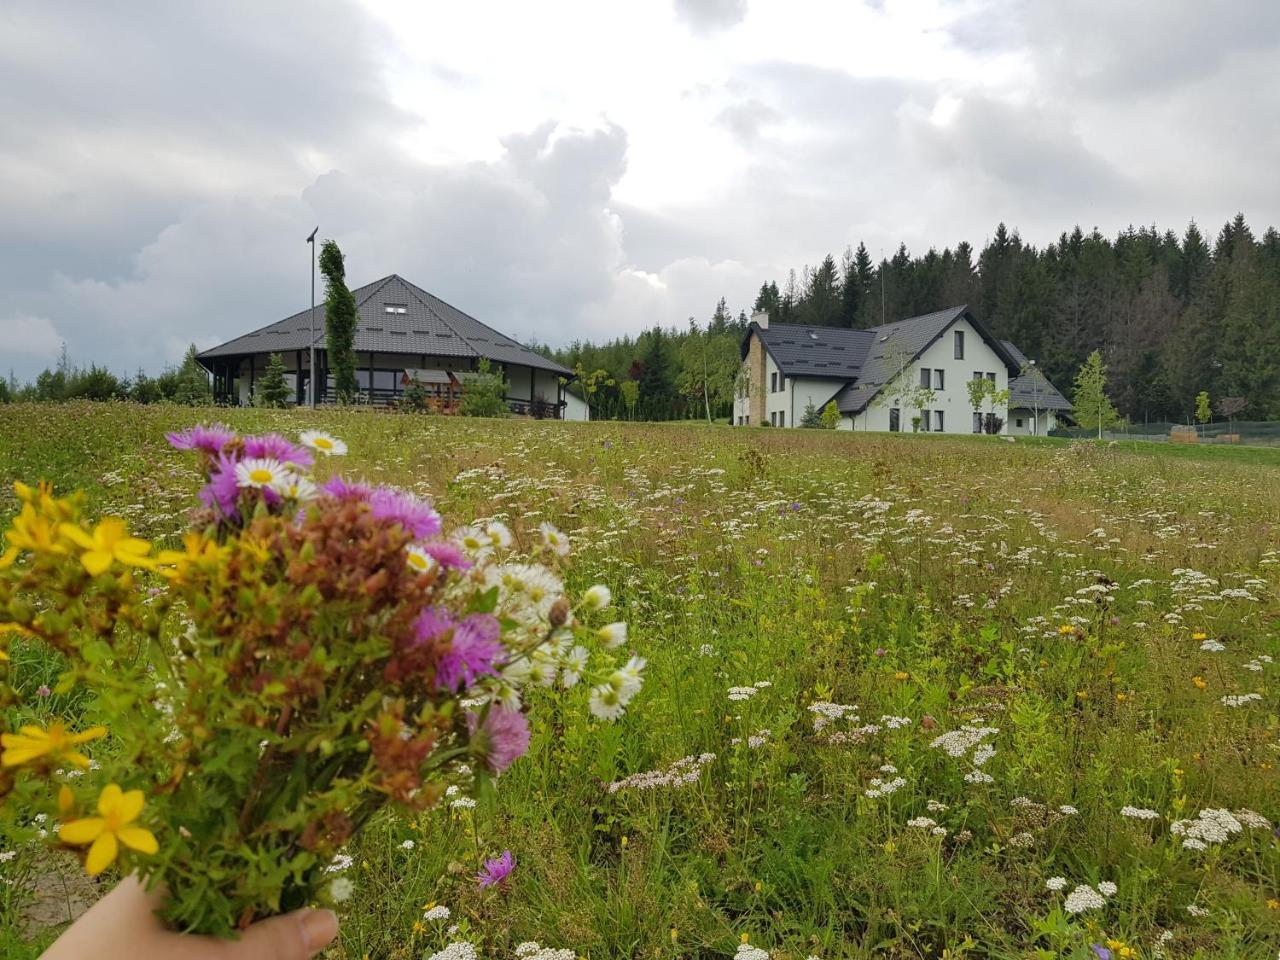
x,y
1173,316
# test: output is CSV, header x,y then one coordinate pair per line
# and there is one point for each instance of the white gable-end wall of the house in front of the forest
x,y
953,400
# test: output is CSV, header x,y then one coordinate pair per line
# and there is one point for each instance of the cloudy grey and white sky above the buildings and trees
x,y
583,168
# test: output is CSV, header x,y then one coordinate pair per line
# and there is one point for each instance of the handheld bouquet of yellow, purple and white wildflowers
x,y
313,653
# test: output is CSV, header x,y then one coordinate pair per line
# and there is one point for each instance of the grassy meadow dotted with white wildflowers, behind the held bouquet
x,y
986,674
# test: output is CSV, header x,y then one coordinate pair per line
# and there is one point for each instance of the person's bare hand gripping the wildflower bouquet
x,y
124,925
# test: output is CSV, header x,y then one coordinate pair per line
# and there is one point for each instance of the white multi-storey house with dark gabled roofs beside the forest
x,y
906,376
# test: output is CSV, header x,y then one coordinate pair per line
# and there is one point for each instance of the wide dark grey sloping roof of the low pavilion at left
x,y
428,326
